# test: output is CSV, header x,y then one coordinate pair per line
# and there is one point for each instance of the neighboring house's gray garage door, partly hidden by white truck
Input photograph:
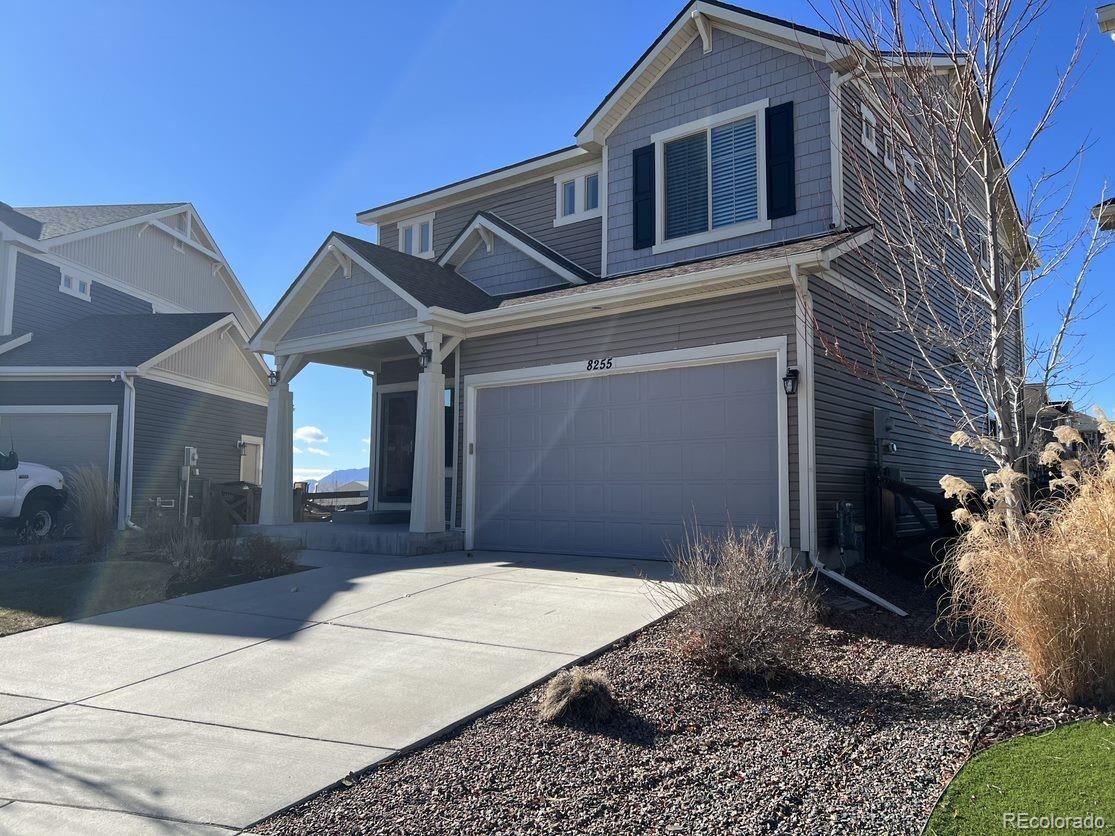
x,y
61,441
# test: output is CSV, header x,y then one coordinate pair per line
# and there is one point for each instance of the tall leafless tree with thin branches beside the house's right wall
x,y
957,251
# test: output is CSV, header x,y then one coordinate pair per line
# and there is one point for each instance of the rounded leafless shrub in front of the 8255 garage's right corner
x,y
743,609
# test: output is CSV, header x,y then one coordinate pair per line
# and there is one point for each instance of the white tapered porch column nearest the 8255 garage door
x,y
428,494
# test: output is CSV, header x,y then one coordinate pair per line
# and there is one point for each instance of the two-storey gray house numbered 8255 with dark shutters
x,y
585,352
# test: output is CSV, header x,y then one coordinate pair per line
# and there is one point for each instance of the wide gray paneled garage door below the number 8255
x,y
619,465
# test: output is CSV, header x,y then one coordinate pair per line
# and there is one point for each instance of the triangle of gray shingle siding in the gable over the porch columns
x,y
346,304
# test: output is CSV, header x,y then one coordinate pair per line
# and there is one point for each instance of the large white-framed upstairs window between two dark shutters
x,y
714,181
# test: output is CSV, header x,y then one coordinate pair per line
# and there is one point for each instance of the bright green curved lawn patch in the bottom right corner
x,y
1065,773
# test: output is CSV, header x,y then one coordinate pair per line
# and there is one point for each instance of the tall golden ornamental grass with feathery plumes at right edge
x,y
1045,584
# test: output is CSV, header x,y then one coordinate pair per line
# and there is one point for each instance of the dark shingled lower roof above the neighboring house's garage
x,y
110,341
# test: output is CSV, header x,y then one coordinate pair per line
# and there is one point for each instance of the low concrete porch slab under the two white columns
x,y
390,539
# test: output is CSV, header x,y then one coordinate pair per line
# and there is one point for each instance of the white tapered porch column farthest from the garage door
x,y
277,499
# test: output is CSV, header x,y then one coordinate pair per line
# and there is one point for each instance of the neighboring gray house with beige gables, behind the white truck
x,y
123,342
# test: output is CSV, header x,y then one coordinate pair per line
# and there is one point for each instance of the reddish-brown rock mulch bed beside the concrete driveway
x,y
864,742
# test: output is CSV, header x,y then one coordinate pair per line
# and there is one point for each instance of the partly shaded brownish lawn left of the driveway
x,y
33,597
